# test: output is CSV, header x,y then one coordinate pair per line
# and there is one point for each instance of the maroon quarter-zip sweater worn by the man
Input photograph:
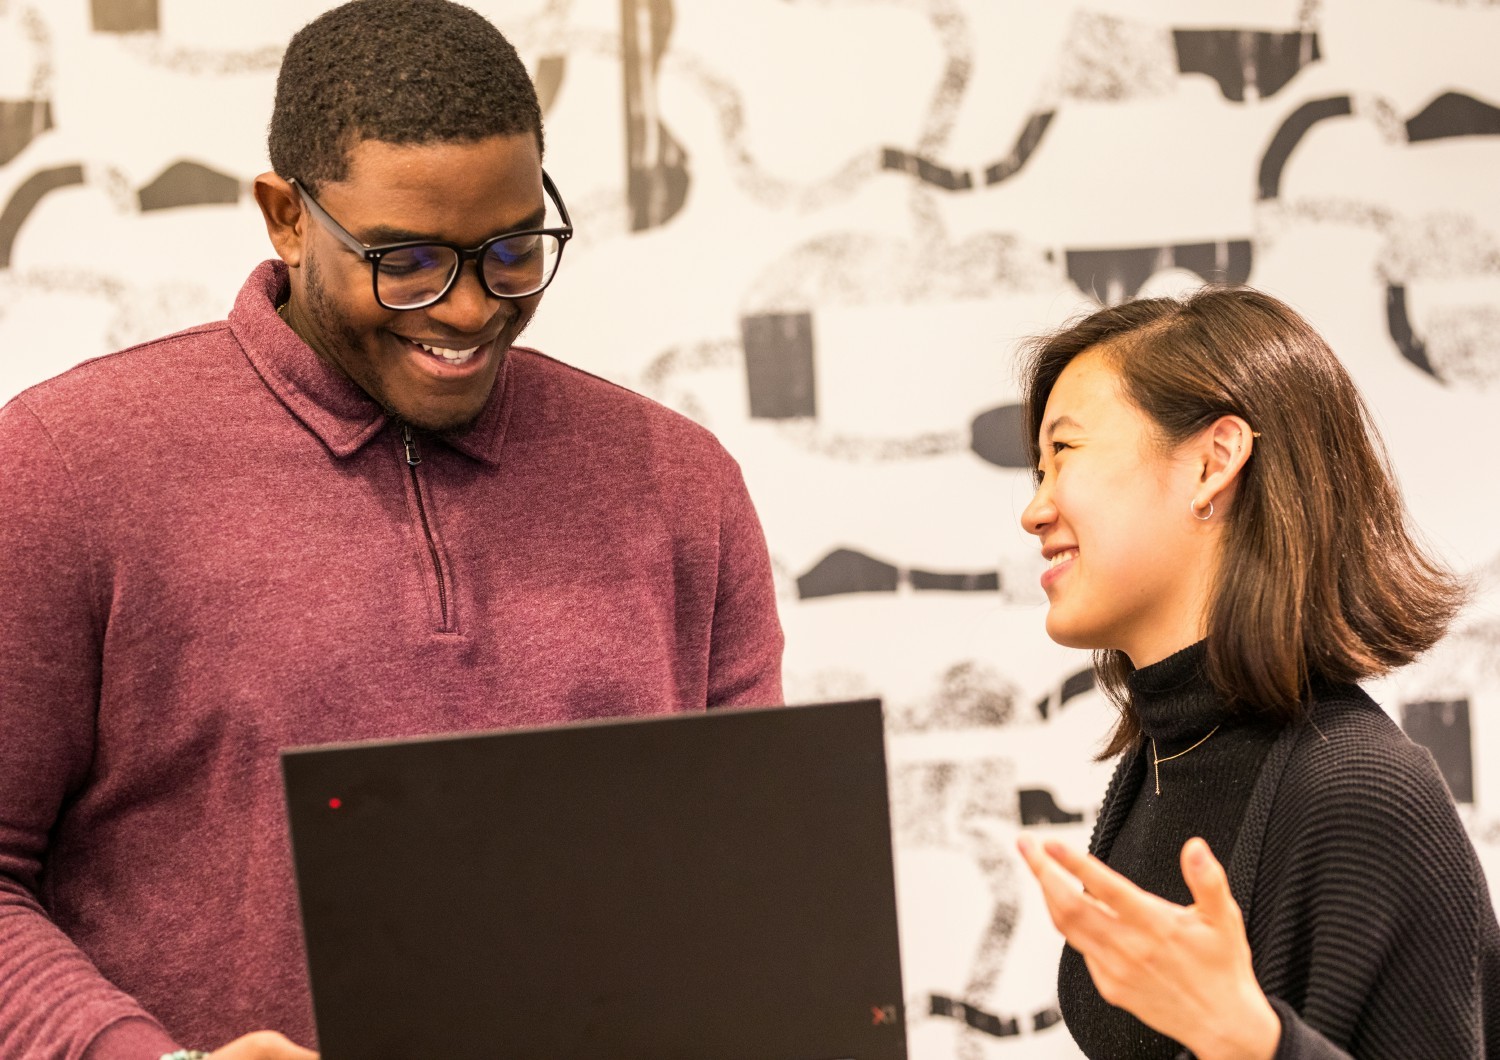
x,y
214,546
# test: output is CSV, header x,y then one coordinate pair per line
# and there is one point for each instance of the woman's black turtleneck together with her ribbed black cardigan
x,y
1369,918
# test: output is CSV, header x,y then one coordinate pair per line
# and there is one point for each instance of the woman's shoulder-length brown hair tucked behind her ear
x,y
1321,578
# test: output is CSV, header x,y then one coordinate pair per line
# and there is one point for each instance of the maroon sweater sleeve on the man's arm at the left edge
x,y
53,1002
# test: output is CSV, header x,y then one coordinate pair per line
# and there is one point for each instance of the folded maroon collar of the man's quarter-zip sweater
x,y
326,401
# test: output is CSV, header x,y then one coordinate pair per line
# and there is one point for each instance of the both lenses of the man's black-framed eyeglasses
x,y
512,266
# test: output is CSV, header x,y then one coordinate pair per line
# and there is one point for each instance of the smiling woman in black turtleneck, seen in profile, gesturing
x,y
1276,872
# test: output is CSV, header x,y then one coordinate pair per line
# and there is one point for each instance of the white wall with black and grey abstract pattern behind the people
x,y
781,139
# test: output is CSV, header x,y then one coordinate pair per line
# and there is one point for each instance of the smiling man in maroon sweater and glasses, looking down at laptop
x,y
352,511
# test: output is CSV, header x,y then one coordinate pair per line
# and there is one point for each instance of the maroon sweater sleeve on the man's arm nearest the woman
x,y
745,662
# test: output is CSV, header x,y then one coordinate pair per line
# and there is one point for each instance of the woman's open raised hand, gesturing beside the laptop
x,y
1183,971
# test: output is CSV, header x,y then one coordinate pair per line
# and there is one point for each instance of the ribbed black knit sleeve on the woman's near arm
x,y
1375,936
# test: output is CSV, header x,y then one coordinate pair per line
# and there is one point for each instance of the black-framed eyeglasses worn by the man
x,y
419,274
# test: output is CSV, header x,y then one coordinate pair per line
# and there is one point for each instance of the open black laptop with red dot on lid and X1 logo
x,y
710,887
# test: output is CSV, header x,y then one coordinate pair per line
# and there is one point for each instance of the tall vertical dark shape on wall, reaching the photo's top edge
x,y
656,163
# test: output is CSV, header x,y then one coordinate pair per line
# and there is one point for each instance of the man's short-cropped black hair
x,y
398,71
